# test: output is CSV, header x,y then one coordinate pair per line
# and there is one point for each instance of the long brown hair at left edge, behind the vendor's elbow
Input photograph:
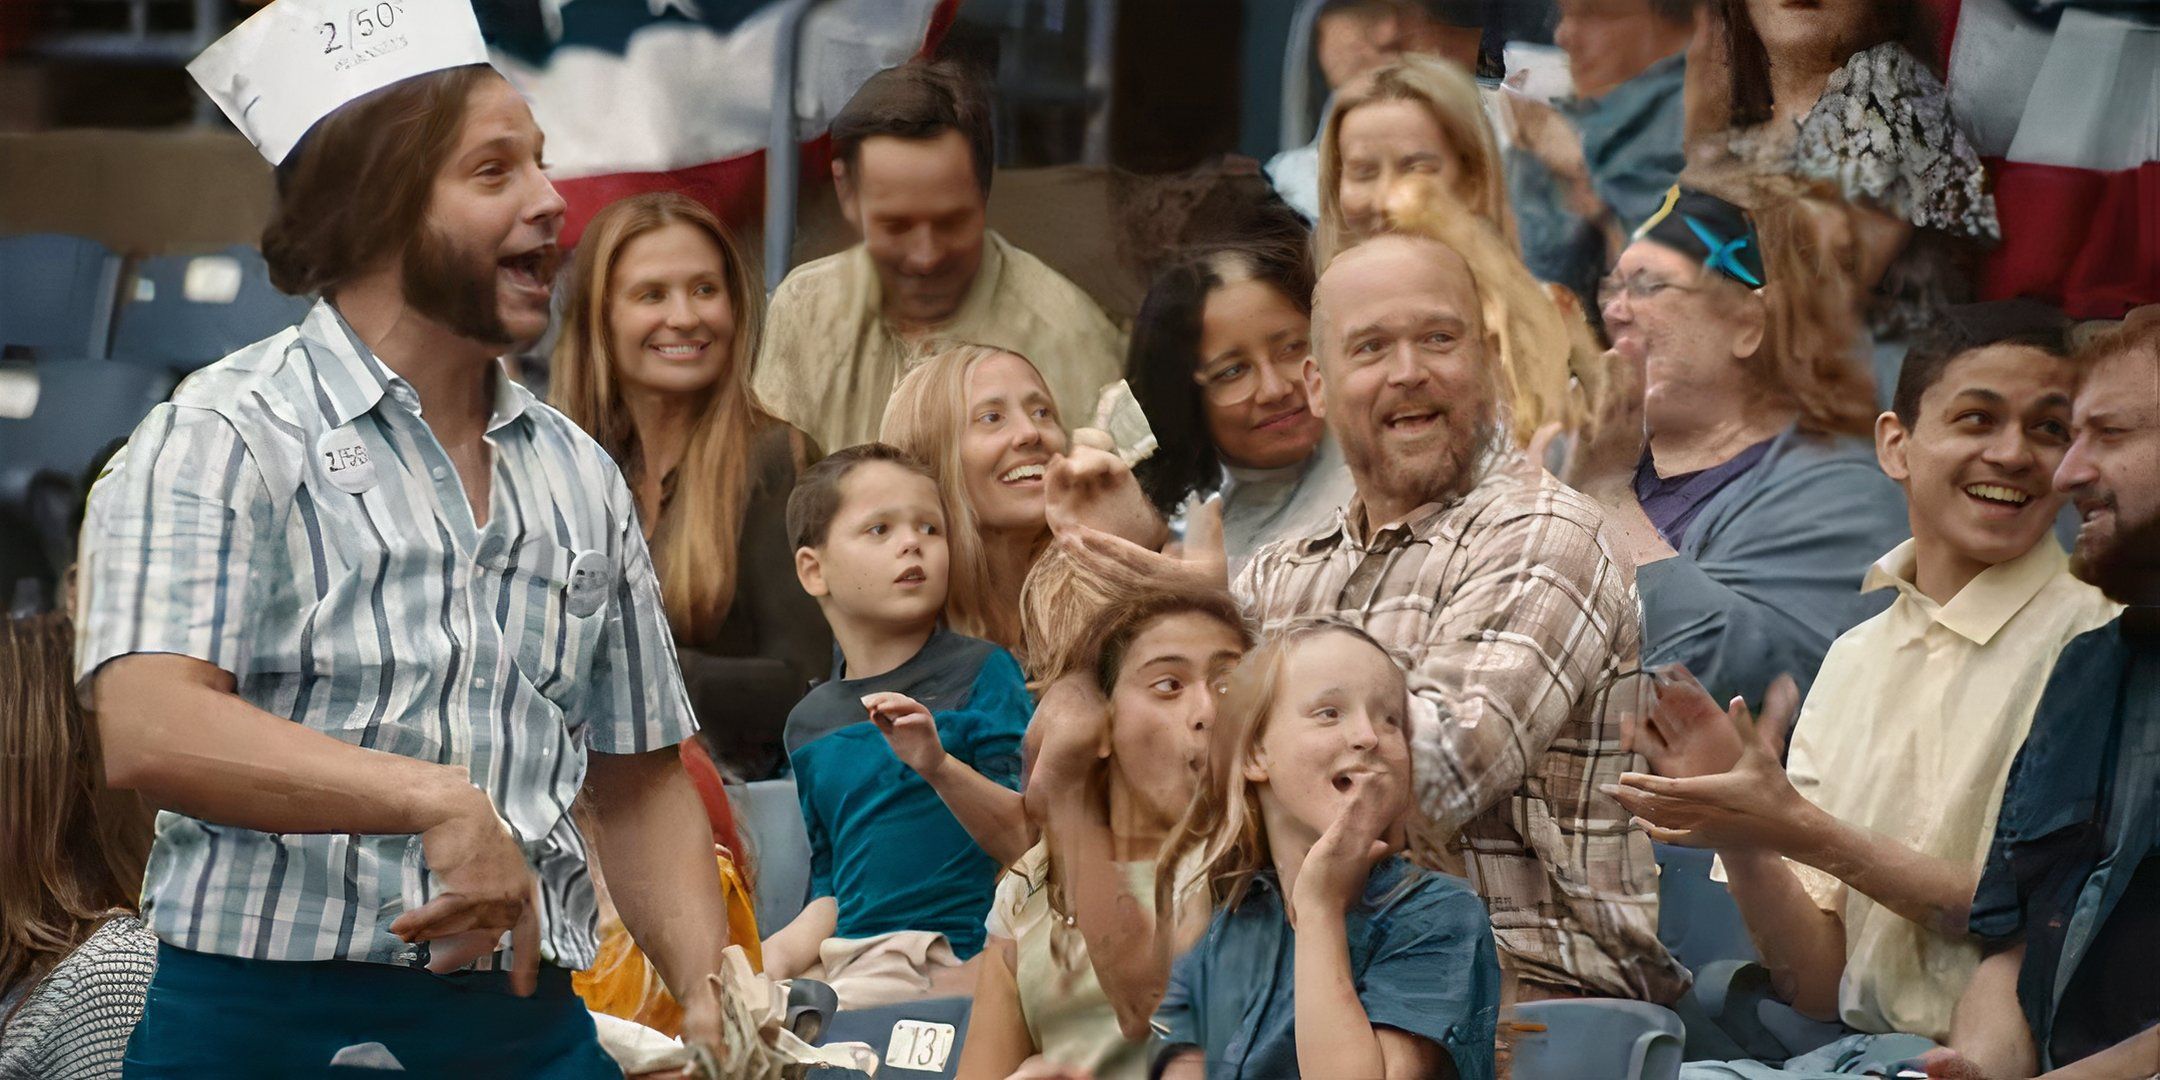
x,y
72,850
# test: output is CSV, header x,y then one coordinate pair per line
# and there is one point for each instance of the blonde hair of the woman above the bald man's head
x,y
1450,94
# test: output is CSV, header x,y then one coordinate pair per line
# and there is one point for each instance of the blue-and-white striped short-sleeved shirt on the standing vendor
x,y
291,519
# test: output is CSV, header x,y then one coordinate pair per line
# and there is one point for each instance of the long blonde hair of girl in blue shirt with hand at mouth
x,y
1224,828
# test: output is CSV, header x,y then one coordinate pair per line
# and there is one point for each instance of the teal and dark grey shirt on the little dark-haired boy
x,y
882,843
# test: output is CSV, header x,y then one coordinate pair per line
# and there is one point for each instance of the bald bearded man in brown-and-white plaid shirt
x,y
1496,586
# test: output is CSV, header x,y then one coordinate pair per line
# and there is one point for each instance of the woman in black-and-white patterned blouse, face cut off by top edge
x,y
1848,92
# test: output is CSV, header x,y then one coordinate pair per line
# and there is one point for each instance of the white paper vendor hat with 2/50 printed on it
x,y
297,62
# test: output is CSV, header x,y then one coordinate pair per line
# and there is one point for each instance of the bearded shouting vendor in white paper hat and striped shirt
x,y
366,619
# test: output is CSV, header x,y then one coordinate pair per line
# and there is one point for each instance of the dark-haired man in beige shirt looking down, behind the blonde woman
x,y
913,157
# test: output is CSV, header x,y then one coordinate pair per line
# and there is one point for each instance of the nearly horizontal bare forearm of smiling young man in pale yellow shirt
x,y
1921,889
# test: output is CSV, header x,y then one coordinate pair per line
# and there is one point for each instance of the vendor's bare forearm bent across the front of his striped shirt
x,y
174,731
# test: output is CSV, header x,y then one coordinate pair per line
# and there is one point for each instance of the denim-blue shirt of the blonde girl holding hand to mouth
x,y
1420,954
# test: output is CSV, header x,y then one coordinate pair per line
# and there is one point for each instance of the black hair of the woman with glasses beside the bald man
x,y
1167,351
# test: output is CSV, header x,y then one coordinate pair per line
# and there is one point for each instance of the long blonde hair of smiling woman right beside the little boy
x,y
926,418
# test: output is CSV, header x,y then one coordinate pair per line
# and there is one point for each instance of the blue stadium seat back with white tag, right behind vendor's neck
x,y
191,310
